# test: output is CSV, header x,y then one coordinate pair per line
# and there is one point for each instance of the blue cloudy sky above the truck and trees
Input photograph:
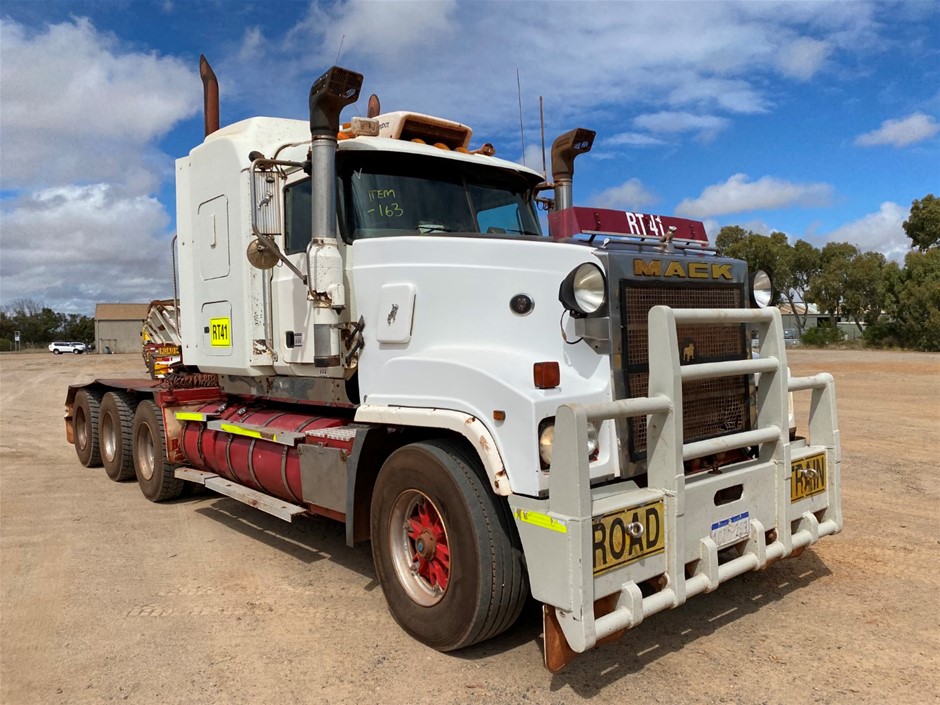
x,y
817,119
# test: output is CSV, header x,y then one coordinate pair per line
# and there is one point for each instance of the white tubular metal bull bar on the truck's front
x,y
557,532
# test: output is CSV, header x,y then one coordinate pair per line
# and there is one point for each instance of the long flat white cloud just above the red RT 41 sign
x,y
738,195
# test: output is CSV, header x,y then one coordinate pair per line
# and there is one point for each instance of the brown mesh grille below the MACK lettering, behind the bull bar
x,y
713,407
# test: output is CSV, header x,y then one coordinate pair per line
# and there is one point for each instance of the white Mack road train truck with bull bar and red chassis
x,y
374,329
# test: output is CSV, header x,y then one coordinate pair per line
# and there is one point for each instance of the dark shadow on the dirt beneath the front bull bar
x,y
666,632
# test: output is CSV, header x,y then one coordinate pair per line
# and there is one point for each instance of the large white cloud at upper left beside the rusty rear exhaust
x,y
76,107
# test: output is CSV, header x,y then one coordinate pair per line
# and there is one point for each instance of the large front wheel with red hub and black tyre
x,y
445,548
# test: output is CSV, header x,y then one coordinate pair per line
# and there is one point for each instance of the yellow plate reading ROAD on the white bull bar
x,y
627,535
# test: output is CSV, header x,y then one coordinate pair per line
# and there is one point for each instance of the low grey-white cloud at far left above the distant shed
x,y
77,246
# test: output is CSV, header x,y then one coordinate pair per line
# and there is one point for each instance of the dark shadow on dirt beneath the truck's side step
x,y
307,539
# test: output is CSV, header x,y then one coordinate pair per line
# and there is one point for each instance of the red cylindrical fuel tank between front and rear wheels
x,y
264,465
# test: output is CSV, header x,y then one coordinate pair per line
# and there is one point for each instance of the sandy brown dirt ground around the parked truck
x,y
105,597
